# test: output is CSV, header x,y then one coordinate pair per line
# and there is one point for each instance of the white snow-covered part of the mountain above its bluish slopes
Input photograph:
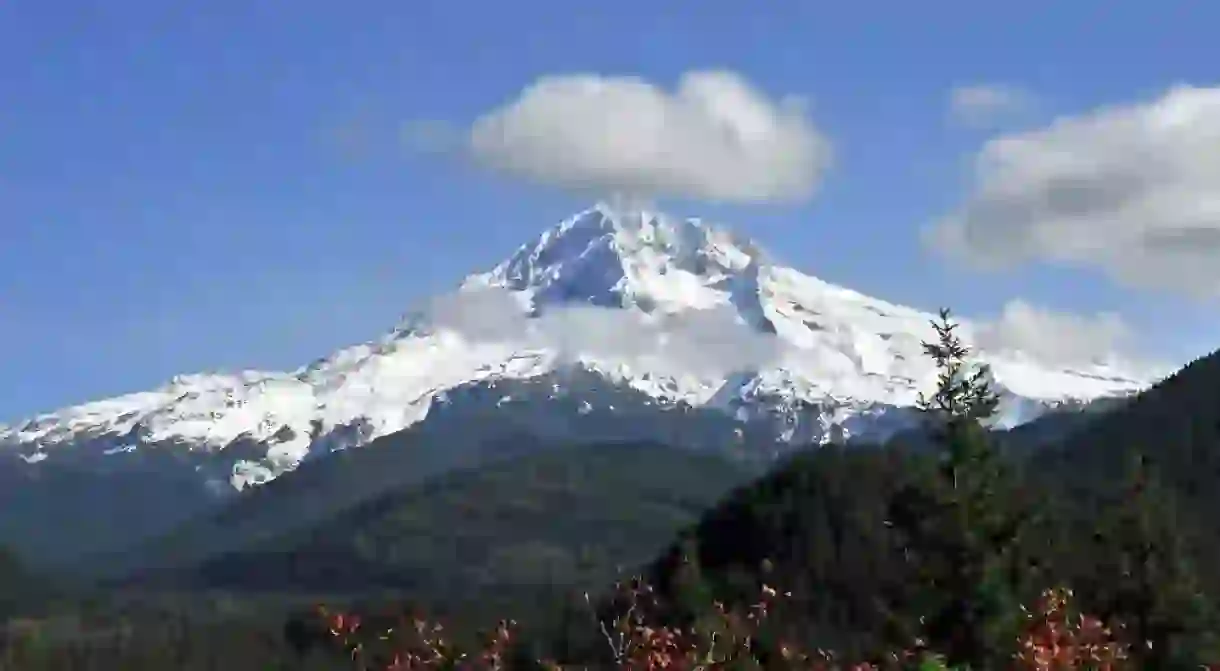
x,y
675,309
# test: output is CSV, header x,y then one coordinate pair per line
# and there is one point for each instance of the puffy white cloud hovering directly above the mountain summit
x,y
714,138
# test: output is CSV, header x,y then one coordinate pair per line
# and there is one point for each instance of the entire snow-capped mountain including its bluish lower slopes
x,y
606,314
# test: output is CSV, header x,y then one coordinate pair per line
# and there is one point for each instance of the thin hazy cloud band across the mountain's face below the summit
x,y
712,343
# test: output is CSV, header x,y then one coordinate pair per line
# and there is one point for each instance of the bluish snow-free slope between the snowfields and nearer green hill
x,y
467,431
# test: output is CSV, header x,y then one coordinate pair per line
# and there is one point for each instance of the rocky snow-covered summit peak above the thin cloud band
x,y
615,256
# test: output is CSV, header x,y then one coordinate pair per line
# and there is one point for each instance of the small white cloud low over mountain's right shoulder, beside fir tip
x,y
1057,339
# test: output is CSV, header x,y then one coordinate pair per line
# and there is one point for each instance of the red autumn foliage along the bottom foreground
x,y
1053,640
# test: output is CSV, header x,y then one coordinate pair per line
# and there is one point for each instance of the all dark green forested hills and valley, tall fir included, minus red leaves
x,y
939,540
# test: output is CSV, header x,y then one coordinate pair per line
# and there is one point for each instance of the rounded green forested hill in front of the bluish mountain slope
x,y
558,519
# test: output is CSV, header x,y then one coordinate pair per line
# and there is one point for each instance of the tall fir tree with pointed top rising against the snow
x,y
961,526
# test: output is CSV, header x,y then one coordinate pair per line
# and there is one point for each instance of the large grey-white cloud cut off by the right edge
x,y
1134,191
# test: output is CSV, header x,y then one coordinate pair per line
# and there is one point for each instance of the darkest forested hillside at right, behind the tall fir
x,y
1122,509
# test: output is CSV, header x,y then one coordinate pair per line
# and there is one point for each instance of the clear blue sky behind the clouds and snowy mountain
x,y
214,186
